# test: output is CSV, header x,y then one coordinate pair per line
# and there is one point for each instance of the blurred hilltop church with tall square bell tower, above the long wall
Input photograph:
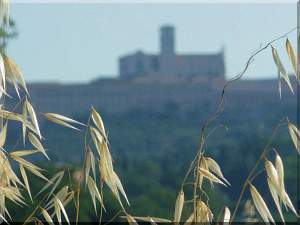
x,y
169,63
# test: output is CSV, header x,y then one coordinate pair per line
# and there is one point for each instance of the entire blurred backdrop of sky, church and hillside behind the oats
x,y
155,73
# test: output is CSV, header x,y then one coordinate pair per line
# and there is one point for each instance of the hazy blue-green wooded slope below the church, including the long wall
x,y
154,130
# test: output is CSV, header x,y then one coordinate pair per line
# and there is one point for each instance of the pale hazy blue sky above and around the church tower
x,y
79,42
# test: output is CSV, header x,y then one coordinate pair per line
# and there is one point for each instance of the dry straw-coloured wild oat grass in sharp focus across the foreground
x,y
98,161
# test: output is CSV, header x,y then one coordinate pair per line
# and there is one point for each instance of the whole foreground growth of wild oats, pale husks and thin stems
x,y
97,172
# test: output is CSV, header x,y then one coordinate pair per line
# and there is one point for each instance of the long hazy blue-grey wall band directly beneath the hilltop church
x,y
117,96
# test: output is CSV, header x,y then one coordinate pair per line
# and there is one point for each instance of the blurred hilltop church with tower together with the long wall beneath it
x,y
192,91
